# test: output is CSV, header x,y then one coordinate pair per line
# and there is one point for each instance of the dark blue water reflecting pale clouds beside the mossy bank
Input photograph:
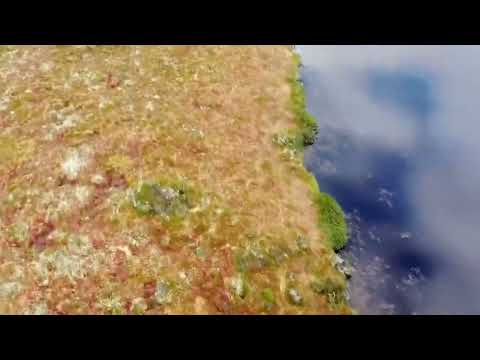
x,y
399,148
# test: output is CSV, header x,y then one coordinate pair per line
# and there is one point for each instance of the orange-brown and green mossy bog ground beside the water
x,y
144,180
